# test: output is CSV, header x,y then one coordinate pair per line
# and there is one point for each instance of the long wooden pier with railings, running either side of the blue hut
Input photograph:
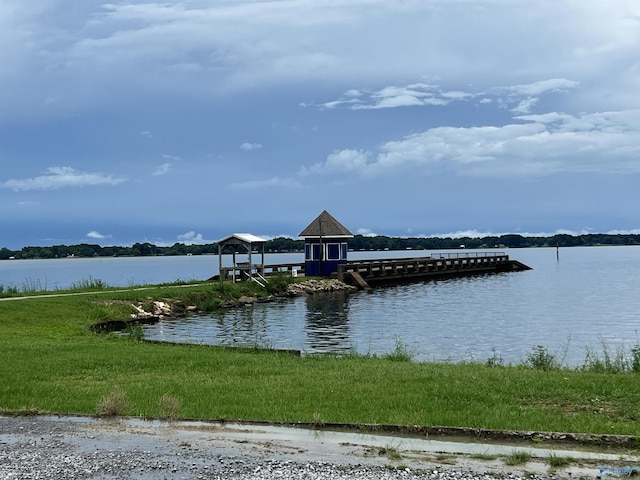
x,y
364,273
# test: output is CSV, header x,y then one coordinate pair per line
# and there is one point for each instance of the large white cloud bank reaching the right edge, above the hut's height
x,y
540,145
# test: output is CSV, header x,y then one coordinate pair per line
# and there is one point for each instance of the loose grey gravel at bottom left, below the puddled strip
x,y
48,447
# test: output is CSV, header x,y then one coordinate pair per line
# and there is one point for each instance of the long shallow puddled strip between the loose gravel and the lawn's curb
x,y
199,440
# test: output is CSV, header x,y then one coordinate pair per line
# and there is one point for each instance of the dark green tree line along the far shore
x,y
358,242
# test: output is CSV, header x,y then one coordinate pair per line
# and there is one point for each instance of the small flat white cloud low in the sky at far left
x,y
61,177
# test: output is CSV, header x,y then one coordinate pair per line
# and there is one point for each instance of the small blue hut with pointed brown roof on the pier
x,y
325,246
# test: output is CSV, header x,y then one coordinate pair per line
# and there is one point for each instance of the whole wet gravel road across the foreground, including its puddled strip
x,y
86,448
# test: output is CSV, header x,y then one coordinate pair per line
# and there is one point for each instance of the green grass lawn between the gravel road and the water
x,y
51,362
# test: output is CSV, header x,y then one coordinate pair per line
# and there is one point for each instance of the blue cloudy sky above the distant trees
x,y
186,121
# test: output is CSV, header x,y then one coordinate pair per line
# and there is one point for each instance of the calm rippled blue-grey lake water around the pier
x,y
589,296
